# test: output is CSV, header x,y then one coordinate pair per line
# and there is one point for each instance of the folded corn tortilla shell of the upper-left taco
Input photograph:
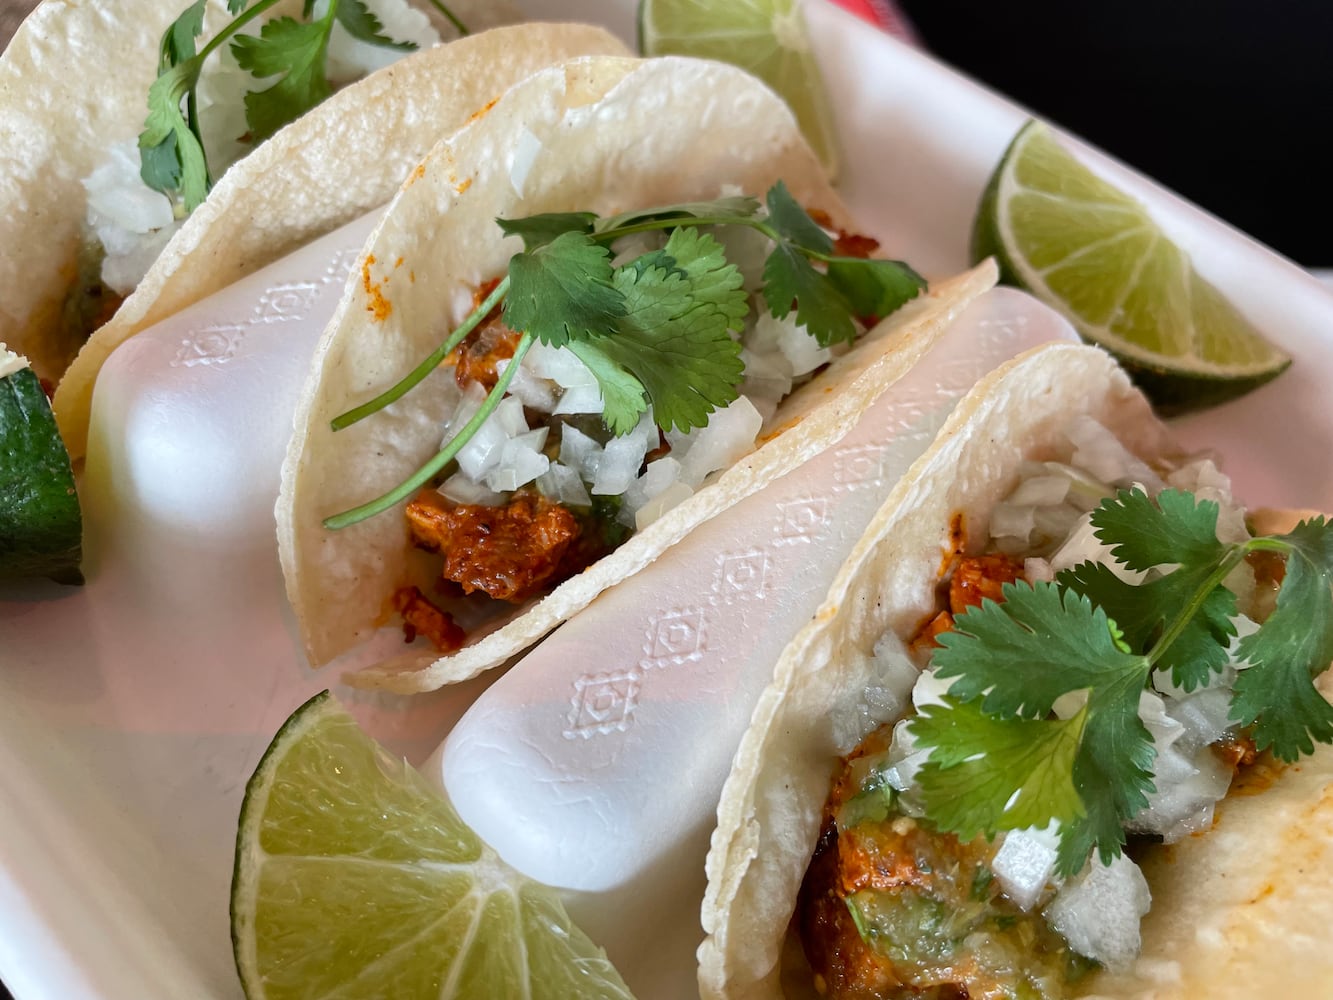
x,y
341,161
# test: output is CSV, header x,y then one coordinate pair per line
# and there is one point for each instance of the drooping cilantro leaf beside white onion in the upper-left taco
x,y
171,155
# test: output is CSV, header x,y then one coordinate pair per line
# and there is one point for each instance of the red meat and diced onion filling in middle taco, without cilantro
x,y
545,490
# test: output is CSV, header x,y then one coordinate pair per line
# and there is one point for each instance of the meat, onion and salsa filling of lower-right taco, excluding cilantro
x,y
891,907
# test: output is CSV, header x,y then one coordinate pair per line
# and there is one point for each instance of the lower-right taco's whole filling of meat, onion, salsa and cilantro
x,y
966,851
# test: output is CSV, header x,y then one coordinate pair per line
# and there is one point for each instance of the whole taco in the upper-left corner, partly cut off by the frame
x,y
74,99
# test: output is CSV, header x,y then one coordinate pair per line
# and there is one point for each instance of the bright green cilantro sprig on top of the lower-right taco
x,y
1002,758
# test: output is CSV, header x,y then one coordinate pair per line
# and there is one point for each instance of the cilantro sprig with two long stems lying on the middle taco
x,y
657,331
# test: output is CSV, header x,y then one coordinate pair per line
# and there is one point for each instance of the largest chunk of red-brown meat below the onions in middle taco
x,y
509,553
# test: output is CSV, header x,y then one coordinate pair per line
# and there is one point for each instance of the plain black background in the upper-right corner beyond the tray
x,y
1227,103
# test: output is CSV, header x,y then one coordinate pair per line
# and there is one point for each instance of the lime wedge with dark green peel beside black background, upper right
x,y
1094,254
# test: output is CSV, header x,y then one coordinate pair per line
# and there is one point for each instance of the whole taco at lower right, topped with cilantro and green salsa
x,y
934,793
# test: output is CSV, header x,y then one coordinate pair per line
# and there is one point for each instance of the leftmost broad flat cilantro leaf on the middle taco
x,y
565,290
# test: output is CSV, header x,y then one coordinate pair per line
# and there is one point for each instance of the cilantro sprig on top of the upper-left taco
x,y
171,147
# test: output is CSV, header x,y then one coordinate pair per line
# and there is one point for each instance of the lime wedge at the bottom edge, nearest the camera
x,y
355,881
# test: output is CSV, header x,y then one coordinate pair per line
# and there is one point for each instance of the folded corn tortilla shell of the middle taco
x,y
610,135
